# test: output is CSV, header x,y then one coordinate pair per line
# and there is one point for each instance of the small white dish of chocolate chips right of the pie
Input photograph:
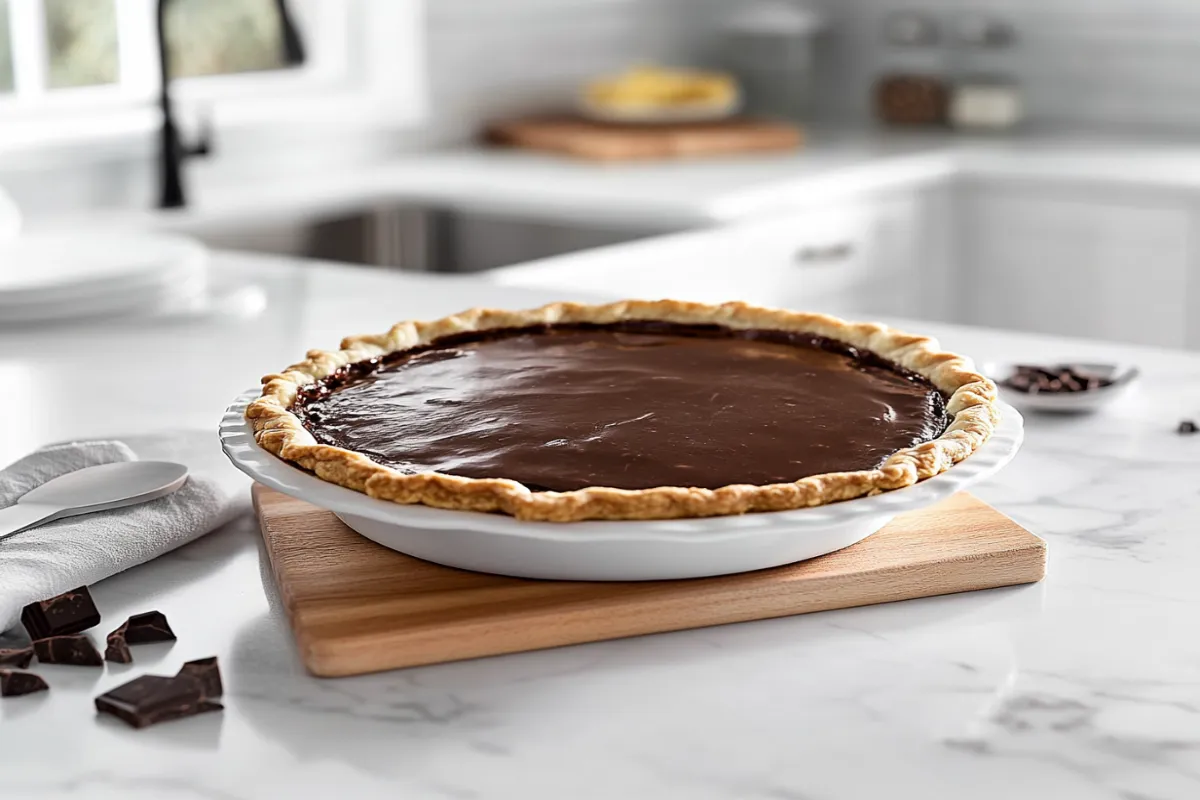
x,y
1067,387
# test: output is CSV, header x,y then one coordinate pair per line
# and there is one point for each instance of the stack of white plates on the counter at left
x,y
57,278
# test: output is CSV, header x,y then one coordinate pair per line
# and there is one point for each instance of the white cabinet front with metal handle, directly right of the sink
x,y
857,260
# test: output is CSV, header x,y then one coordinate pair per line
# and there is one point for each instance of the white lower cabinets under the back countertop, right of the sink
x,y
1052,258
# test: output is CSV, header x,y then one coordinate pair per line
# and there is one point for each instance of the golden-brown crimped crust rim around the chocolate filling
x,y
971,407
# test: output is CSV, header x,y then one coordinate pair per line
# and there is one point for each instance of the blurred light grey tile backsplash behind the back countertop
x,y
1109,65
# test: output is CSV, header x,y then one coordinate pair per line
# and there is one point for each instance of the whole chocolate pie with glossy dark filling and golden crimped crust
x,y
629,411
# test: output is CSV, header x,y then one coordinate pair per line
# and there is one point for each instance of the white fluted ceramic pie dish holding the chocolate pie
x,y
611,551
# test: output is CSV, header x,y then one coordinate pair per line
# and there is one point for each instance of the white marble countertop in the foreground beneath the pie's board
x,y
1084,687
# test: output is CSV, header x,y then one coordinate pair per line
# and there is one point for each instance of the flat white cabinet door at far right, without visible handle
x,y
1072,266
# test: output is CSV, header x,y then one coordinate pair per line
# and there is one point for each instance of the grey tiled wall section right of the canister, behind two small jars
x,y
1084,64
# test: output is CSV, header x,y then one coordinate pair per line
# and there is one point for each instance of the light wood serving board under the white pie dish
x,y
358,607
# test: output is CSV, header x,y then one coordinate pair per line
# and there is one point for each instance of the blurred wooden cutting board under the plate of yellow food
x,y
611,142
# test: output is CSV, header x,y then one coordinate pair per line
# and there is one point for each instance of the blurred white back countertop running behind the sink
x,y
675,195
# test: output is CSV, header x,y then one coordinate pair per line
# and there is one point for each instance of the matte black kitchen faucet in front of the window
x,y
172,149
